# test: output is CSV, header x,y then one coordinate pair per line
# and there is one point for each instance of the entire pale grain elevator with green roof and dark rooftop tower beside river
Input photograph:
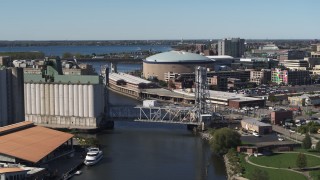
x,y
64,101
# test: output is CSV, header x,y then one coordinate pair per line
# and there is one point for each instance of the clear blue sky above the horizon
x,y
161,19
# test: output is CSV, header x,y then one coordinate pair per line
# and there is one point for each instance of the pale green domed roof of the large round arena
x,y
177,56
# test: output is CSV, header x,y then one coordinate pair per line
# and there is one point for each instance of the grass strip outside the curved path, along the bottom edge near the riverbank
x,y
274,174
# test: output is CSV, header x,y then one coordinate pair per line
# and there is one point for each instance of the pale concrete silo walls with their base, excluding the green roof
x,y
65,104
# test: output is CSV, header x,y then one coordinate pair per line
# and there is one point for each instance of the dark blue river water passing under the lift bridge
x,y
137,150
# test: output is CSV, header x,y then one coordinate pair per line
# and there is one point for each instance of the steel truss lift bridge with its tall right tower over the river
x,y
195,115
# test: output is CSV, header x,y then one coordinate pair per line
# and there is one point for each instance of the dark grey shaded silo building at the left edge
x,y
11,96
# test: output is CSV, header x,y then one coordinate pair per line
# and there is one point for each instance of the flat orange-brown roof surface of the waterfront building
x,y
32,143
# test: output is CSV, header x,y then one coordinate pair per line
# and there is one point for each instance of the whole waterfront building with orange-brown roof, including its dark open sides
x,y
28,144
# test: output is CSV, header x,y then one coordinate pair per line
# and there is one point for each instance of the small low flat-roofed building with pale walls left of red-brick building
x,y
256,126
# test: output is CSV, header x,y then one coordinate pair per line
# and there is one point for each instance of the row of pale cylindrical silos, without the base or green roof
x,y
69,100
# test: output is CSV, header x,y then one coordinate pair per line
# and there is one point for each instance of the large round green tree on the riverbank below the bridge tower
x,y
224,139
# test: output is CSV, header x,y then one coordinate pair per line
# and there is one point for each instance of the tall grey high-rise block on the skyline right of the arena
x,y
233,47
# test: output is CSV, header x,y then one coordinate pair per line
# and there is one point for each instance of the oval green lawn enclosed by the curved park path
x,y
283,160
